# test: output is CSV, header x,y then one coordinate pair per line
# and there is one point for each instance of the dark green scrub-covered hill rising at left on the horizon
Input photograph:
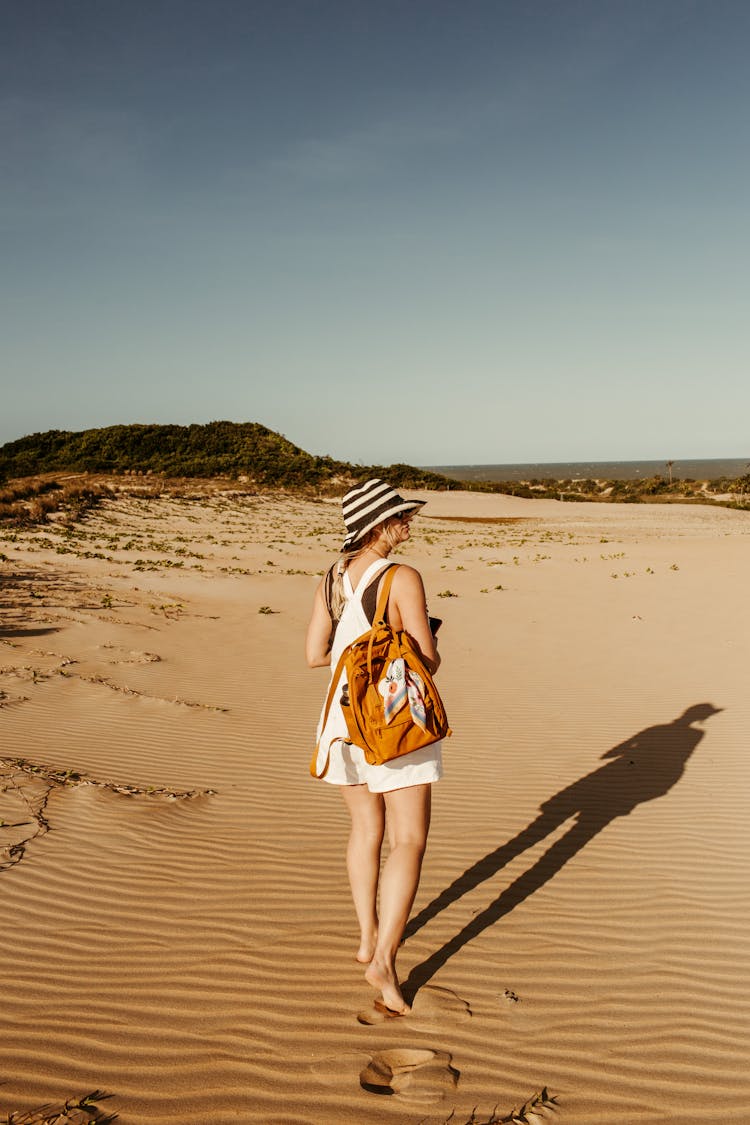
x,y
231,449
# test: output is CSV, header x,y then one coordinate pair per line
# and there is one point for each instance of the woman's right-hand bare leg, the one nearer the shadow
x,y
409,824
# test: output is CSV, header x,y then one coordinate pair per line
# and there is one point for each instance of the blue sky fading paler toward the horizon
x,y
427,232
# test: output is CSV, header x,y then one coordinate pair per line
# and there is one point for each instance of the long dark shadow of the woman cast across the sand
x,y
643,769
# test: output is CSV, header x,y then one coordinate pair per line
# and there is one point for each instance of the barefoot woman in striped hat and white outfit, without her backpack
x,y
377,521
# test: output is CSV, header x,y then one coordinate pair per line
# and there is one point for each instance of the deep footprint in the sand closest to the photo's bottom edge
x,y
411,1074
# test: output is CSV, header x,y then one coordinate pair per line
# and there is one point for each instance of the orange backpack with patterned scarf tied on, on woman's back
x,y
372,662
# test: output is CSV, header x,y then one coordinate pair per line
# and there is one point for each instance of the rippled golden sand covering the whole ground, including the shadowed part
x,y
178,929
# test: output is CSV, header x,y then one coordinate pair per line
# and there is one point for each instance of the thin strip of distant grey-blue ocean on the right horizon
x,y
598,471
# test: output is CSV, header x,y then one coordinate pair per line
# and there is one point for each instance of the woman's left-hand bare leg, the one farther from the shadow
x,y
368,815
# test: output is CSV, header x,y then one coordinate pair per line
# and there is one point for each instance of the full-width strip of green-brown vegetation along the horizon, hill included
x,y
256,458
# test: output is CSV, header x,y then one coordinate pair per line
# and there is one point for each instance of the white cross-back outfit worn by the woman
x,y
348,764
